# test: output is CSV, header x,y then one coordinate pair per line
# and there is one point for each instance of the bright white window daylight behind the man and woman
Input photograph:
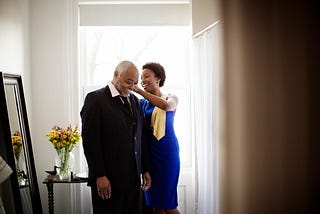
x,y
102,48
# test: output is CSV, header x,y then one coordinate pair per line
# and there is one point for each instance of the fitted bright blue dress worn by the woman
x,y
165,163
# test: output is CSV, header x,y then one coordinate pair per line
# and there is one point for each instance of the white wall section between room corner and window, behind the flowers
x,y
51,67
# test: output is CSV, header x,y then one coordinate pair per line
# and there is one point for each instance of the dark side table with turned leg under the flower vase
x,y
50,182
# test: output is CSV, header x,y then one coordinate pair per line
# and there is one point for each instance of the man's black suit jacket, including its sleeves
x,y
112,139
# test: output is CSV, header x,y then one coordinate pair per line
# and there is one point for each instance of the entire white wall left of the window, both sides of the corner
x,y
44,36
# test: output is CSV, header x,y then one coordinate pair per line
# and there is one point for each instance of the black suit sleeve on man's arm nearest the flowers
x,y
91,136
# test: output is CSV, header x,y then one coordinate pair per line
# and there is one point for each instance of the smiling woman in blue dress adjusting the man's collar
x,y
159,110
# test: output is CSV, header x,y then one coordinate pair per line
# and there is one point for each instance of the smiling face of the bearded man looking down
x,y
125,81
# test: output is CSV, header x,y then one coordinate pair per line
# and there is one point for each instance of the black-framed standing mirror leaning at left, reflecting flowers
x,y
20,192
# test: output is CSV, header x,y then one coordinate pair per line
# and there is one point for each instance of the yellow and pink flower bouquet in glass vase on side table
x,y
64,141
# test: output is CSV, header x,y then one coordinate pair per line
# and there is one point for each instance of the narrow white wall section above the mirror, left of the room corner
x,y
14,42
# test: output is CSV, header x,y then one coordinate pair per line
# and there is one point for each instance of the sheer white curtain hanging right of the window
x,y
207,65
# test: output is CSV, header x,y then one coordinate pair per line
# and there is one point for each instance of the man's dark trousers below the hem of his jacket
x,y
121,202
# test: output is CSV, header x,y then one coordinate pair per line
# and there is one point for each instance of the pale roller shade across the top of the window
x,y
135,14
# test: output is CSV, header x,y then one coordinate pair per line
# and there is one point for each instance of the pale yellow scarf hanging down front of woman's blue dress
x,y
158,121
